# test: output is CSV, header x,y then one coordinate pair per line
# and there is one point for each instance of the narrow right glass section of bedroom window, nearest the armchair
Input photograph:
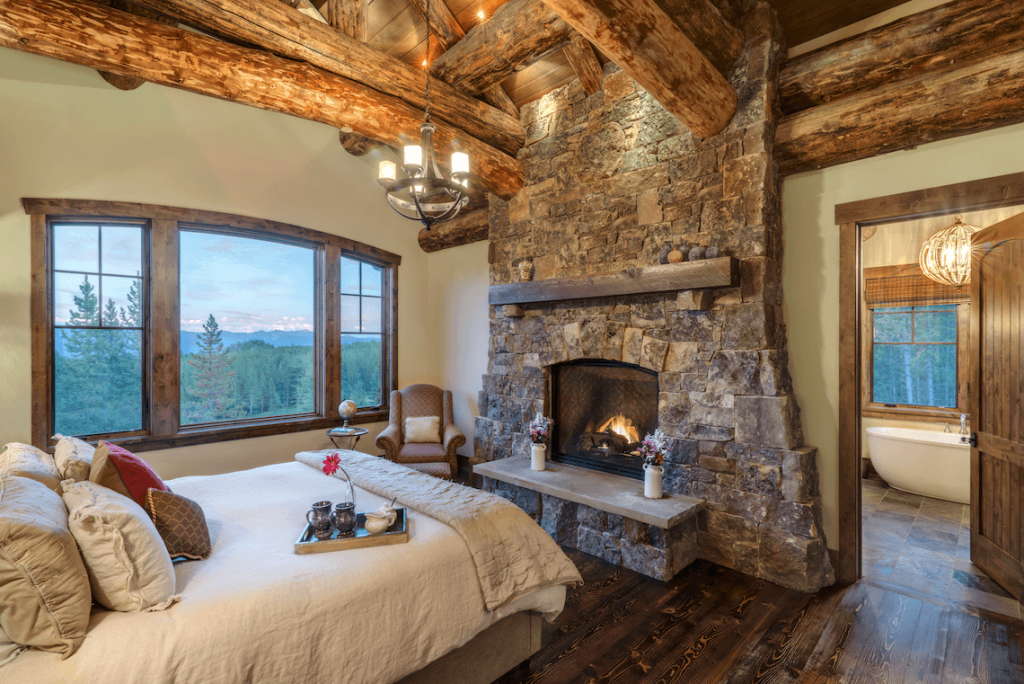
x,y
362,313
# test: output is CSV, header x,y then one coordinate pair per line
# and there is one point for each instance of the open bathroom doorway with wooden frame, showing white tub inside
x,y
905,384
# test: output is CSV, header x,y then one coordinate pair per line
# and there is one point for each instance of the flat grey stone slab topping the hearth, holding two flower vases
x,y
612,494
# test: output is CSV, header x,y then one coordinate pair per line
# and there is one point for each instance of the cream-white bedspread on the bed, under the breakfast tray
x,y
255,612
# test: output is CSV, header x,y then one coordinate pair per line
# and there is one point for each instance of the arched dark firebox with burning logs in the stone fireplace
x,y
603,410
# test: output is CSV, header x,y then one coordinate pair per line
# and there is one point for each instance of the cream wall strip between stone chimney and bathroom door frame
x,y
812,266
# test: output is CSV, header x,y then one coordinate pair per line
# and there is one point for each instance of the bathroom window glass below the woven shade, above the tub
x,y
915,356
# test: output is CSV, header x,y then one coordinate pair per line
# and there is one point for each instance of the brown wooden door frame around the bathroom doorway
x,y
851,218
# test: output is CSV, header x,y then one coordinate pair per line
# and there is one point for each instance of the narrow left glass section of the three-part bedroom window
x,y
99,336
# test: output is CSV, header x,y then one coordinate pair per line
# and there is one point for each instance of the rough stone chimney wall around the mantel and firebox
x,y
610,179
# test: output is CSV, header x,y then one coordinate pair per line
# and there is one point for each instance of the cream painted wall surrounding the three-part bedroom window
x,y
66,134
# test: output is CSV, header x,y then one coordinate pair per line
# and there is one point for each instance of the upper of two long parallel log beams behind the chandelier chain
x,y
273,26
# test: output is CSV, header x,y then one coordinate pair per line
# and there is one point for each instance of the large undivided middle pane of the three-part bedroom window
x,y
247,328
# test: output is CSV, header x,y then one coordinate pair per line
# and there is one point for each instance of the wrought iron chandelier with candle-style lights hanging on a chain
x,y
425,195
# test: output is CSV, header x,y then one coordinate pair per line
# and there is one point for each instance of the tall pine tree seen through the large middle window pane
x,y
215,384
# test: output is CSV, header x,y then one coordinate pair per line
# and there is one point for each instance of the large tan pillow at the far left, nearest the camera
x,y
45,590
